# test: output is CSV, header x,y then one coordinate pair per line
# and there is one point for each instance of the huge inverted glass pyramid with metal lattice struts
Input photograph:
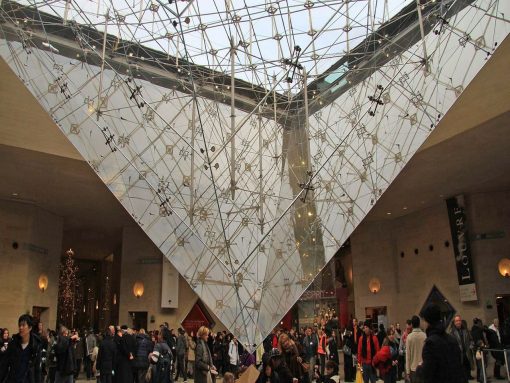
x,y
248,141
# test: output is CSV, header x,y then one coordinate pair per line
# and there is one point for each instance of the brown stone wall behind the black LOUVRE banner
x,y
387,250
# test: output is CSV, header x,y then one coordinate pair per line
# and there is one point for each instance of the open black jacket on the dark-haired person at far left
x,y
10,363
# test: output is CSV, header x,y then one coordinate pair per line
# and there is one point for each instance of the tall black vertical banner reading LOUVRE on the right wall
x,y
461,248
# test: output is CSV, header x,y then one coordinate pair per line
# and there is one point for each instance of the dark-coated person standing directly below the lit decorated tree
x,y
66,360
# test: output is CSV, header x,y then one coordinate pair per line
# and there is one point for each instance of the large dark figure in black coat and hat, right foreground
x,y
441,353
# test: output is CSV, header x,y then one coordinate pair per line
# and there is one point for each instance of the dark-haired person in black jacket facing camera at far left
x,y
22,360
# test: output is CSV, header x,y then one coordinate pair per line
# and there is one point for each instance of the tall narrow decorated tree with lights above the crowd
x,y
67,289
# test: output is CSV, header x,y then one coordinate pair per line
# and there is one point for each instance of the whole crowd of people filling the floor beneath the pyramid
x,y
126,355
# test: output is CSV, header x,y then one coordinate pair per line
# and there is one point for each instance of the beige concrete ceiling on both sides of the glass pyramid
x,y
467,153
